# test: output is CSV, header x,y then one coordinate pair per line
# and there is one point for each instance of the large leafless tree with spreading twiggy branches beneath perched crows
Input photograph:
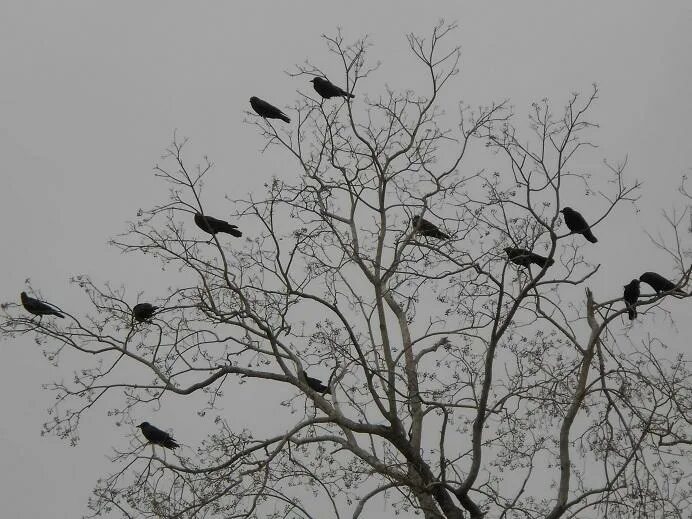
x,y
460,383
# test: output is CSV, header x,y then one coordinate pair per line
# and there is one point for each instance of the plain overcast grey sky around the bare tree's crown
x,y
91,93
